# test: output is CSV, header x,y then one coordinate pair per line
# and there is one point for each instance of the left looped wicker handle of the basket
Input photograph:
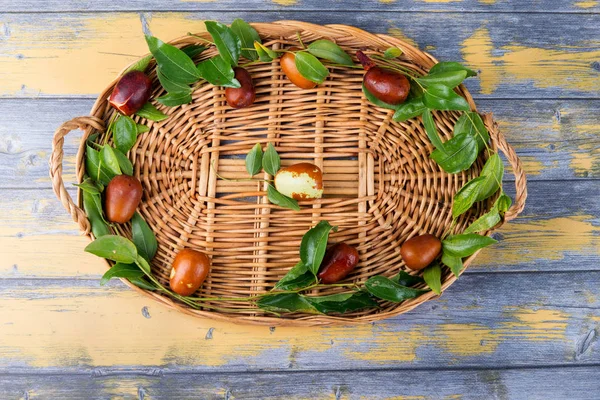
x,y
56,159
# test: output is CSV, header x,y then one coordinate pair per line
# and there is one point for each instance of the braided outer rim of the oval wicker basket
x,y
312,320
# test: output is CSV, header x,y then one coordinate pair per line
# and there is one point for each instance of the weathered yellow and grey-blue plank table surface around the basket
x,y
522,323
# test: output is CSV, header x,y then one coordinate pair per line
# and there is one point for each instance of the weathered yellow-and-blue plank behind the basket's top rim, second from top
x,y
80,53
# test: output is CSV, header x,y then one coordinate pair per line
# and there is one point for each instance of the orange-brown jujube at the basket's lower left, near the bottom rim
x,y
190,269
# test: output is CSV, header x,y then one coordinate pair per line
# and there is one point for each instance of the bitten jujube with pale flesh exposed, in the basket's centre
x,y
300,181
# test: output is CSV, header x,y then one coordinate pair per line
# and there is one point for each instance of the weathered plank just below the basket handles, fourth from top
x,y
558,231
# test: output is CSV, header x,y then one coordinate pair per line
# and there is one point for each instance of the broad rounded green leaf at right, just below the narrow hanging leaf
x,y
461,152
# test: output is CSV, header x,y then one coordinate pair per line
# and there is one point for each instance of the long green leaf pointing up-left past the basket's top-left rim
x,y
174,63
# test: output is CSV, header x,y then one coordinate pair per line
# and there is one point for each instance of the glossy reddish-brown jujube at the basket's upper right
x,y
386,85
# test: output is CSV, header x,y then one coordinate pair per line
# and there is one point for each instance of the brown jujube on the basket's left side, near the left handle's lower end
x,y
123,195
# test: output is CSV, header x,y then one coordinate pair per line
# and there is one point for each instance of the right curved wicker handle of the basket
x,y
516,165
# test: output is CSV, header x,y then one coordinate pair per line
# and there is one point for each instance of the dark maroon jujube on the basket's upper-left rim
x,y
131,92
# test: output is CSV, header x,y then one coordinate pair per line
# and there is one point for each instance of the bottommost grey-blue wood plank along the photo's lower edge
x,y
555,383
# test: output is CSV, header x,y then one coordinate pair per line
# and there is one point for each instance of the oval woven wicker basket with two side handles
x,y
381,186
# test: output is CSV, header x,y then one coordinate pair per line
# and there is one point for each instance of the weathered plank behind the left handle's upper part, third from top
x,y
556,139
